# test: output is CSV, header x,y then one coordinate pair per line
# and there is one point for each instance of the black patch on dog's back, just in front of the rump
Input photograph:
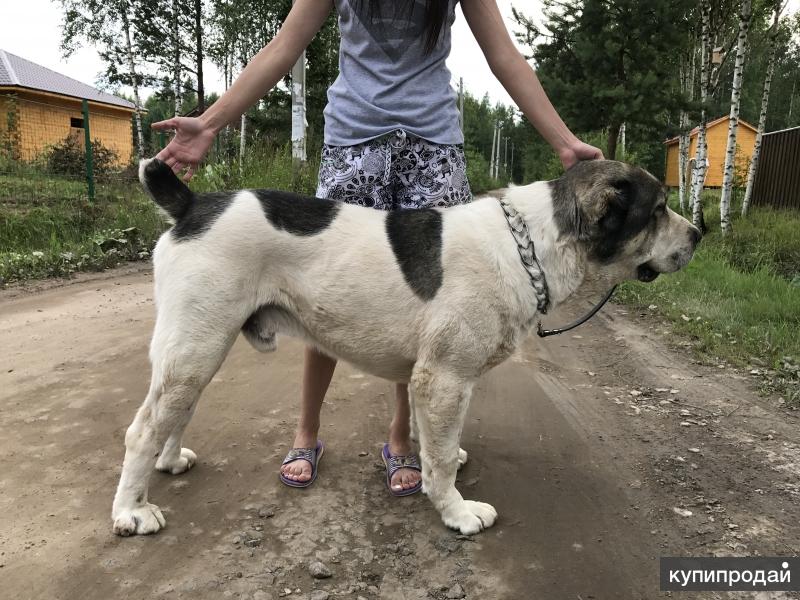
x,y
295,213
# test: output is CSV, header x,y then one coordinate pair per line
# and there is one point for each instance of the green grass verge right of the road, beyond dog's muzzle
x,y
739,299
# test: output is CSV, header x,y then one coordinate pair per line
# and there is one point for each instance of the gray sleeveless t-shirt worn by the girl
x,y
386,80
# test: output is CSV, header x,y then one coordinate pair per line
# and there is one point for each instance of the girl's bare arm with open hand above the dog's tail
x,y
194,136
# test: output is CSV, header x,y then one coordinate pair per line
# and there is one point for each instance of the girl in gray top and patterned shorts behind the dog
x,y
392,140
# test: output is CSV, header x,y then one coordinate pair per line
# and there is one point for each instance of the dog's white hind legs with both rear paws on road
x,y
186,352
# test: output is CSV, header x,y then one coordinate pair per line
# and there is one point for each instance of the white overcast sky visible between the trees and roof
x,y
32,30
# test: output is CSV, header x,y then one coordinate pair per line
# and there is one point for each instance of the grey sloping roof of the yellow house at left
x,y
16,71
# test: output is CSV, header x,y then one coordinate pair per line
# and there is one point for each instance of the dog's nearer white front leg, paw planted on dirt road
x,y
440,403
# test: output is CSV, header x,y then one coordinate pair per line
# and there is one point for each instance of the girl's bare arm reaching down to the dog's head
x,y
521,82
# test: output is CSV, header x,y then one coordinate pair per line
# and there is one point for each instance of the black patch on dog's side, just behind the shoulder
x,y
416,240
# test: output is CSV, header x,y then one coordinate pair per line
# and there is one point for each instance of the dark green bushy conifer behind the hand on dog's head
x,y
609,62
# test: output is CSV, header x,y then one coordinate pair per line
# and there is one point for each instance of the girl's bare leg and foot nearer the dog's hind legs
x,y
317,374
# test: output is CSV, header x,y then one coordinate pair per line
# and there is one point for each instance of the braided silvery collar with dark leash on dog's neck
x,y
527,255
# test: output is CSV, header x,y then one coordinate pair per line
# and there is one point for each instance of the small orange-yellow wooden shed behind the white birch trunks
x,y
717,135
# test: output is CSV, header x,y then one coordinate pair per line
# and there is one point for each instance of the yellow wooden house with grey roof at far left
x,y
40,107
